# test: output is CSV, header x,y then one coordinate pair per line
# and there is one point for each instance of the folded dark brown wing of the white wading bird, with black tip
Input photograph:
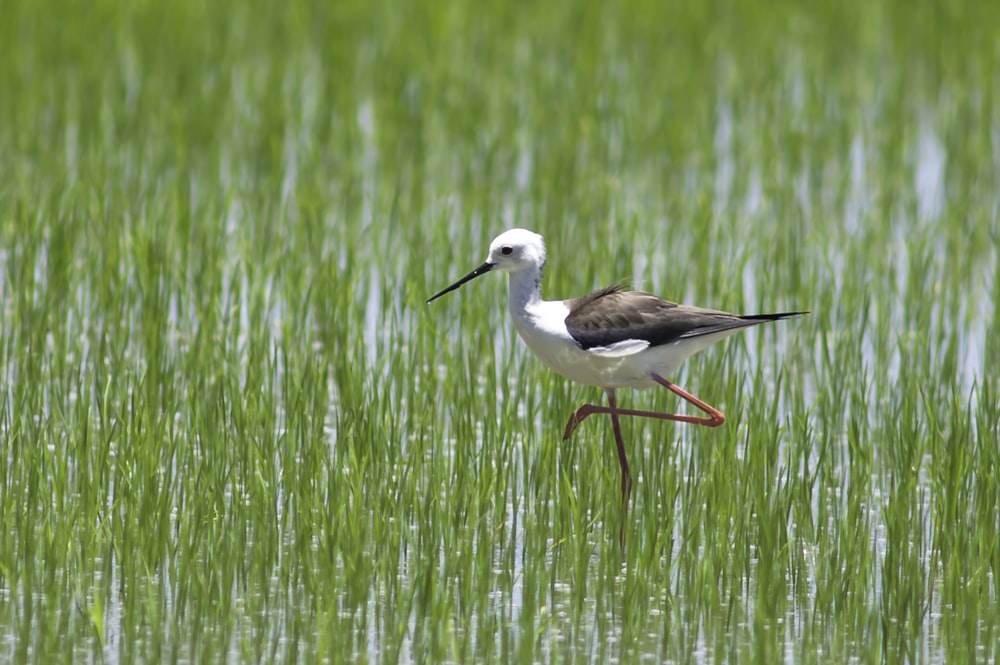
x,y
612,315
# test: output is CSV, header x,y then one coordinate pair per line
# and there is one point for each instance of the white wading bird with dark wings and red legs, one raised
x,y
611,338
